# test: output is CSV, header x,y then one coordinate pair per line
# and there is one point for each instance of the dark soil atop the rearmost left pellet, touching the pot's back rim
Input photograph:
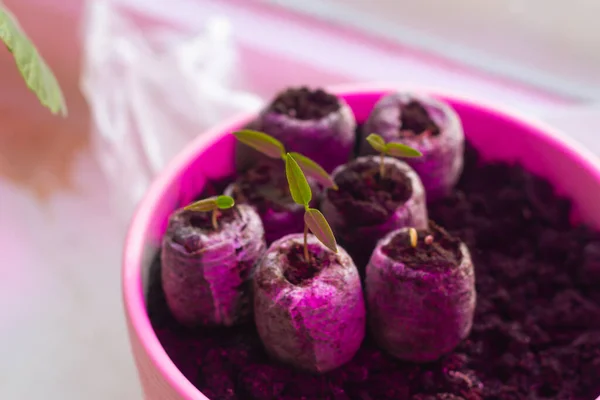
x,y
305,104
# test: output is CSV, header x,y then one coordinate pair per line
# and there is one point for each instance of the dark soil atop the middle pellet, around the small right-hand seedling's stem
x,y
364,198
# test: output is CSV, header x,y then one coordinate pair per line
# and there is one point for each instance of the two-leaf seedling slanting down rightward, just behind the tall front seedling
x,y
273,148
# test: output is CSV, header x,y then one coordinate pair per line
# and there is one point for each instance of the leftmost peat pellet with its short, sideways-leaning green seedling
x,y
209,253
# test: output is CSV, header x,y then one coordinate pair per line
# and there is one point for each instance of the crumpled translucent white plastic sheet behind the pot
x,y
152,87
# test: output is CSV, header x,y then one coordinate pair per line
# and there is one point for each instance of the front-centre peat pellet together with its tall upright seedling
x,y
308,302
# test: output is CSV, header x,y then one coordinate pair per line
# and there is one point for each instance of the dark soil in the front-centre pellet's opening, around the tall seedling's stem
x,y
299,271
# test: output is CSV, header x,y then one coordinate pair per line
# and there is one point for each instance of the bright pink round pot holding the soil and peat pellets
x,y
499,135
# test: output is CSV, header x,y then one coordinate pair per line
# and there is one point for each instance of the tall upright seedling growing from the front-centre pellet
x,y
313,219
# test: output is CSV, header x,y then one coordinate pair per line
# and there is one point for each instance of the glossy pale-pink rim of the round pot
x,y
133,293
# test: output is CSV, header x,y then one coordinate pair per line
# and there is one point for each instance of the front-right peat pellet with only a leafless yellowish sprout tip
x,y
420,288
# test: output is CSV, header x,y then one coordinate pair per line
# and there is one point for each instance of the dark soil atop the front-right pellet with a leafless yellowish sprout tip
x,y
436,249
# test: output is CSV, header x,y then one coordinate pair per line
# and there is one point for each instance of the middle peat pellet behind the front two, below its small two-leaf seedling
x,y
368,205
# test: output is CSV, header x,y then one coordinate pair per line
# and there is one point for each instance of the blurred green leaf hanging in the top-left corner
x,y
37,74
